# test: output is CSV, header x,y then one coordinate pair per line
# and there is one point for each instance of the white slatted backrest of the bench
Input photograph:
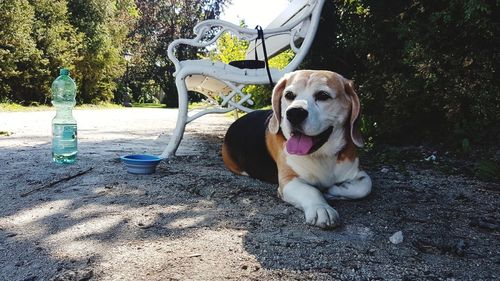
x,y
292,16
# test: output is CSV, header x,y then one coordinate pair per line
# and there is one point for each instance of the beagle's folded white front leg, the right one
x,y
356,188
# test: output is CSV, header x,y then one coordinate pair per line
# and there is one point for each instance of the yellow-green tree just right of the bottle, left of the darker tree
x,y
105,25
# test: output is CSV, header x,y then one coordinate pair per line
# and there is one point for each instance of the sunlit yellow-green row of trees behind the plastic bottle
x,y
37,37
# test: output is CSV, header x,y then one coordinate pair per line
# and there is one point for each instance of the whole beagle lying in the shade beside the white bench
x,y
307,144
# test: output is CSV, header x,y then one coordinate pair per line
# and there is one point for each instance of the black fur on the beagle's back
x,y
246,144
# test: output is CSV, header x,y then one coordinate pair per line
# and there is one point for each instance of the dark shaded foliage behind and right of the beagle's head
x,y
427,70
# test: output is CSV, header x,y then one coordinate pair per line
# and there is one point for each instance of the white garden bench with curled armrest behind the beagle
x,y
293,29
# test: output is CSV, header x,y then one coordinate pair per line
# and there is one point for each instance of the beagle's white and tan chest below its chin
x,y
322,172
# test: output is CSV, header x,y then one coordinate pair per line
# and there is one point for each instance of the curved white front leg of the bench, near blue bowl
x,y
178,132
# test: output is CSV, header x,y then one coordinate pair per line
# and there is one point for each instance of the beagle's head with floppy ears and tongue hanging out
x,y
311,107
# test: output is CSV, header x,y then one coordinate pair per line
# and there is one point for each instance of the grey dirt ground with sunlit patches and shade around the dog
x,y
194,220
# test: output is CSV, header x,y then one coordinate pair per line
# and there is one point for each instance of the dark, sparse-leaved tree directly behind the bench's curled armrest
x,y
161,23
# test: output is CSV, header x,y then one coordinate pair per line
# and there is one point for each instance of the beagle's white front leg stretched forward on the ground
x,y
312,202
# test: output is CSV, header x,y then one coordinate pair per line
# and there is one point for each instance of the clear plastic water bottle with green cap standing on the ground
x,y
64,133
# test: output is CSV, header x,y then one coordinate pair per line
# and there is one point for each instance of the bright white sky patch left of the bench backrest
x,y
254,12
